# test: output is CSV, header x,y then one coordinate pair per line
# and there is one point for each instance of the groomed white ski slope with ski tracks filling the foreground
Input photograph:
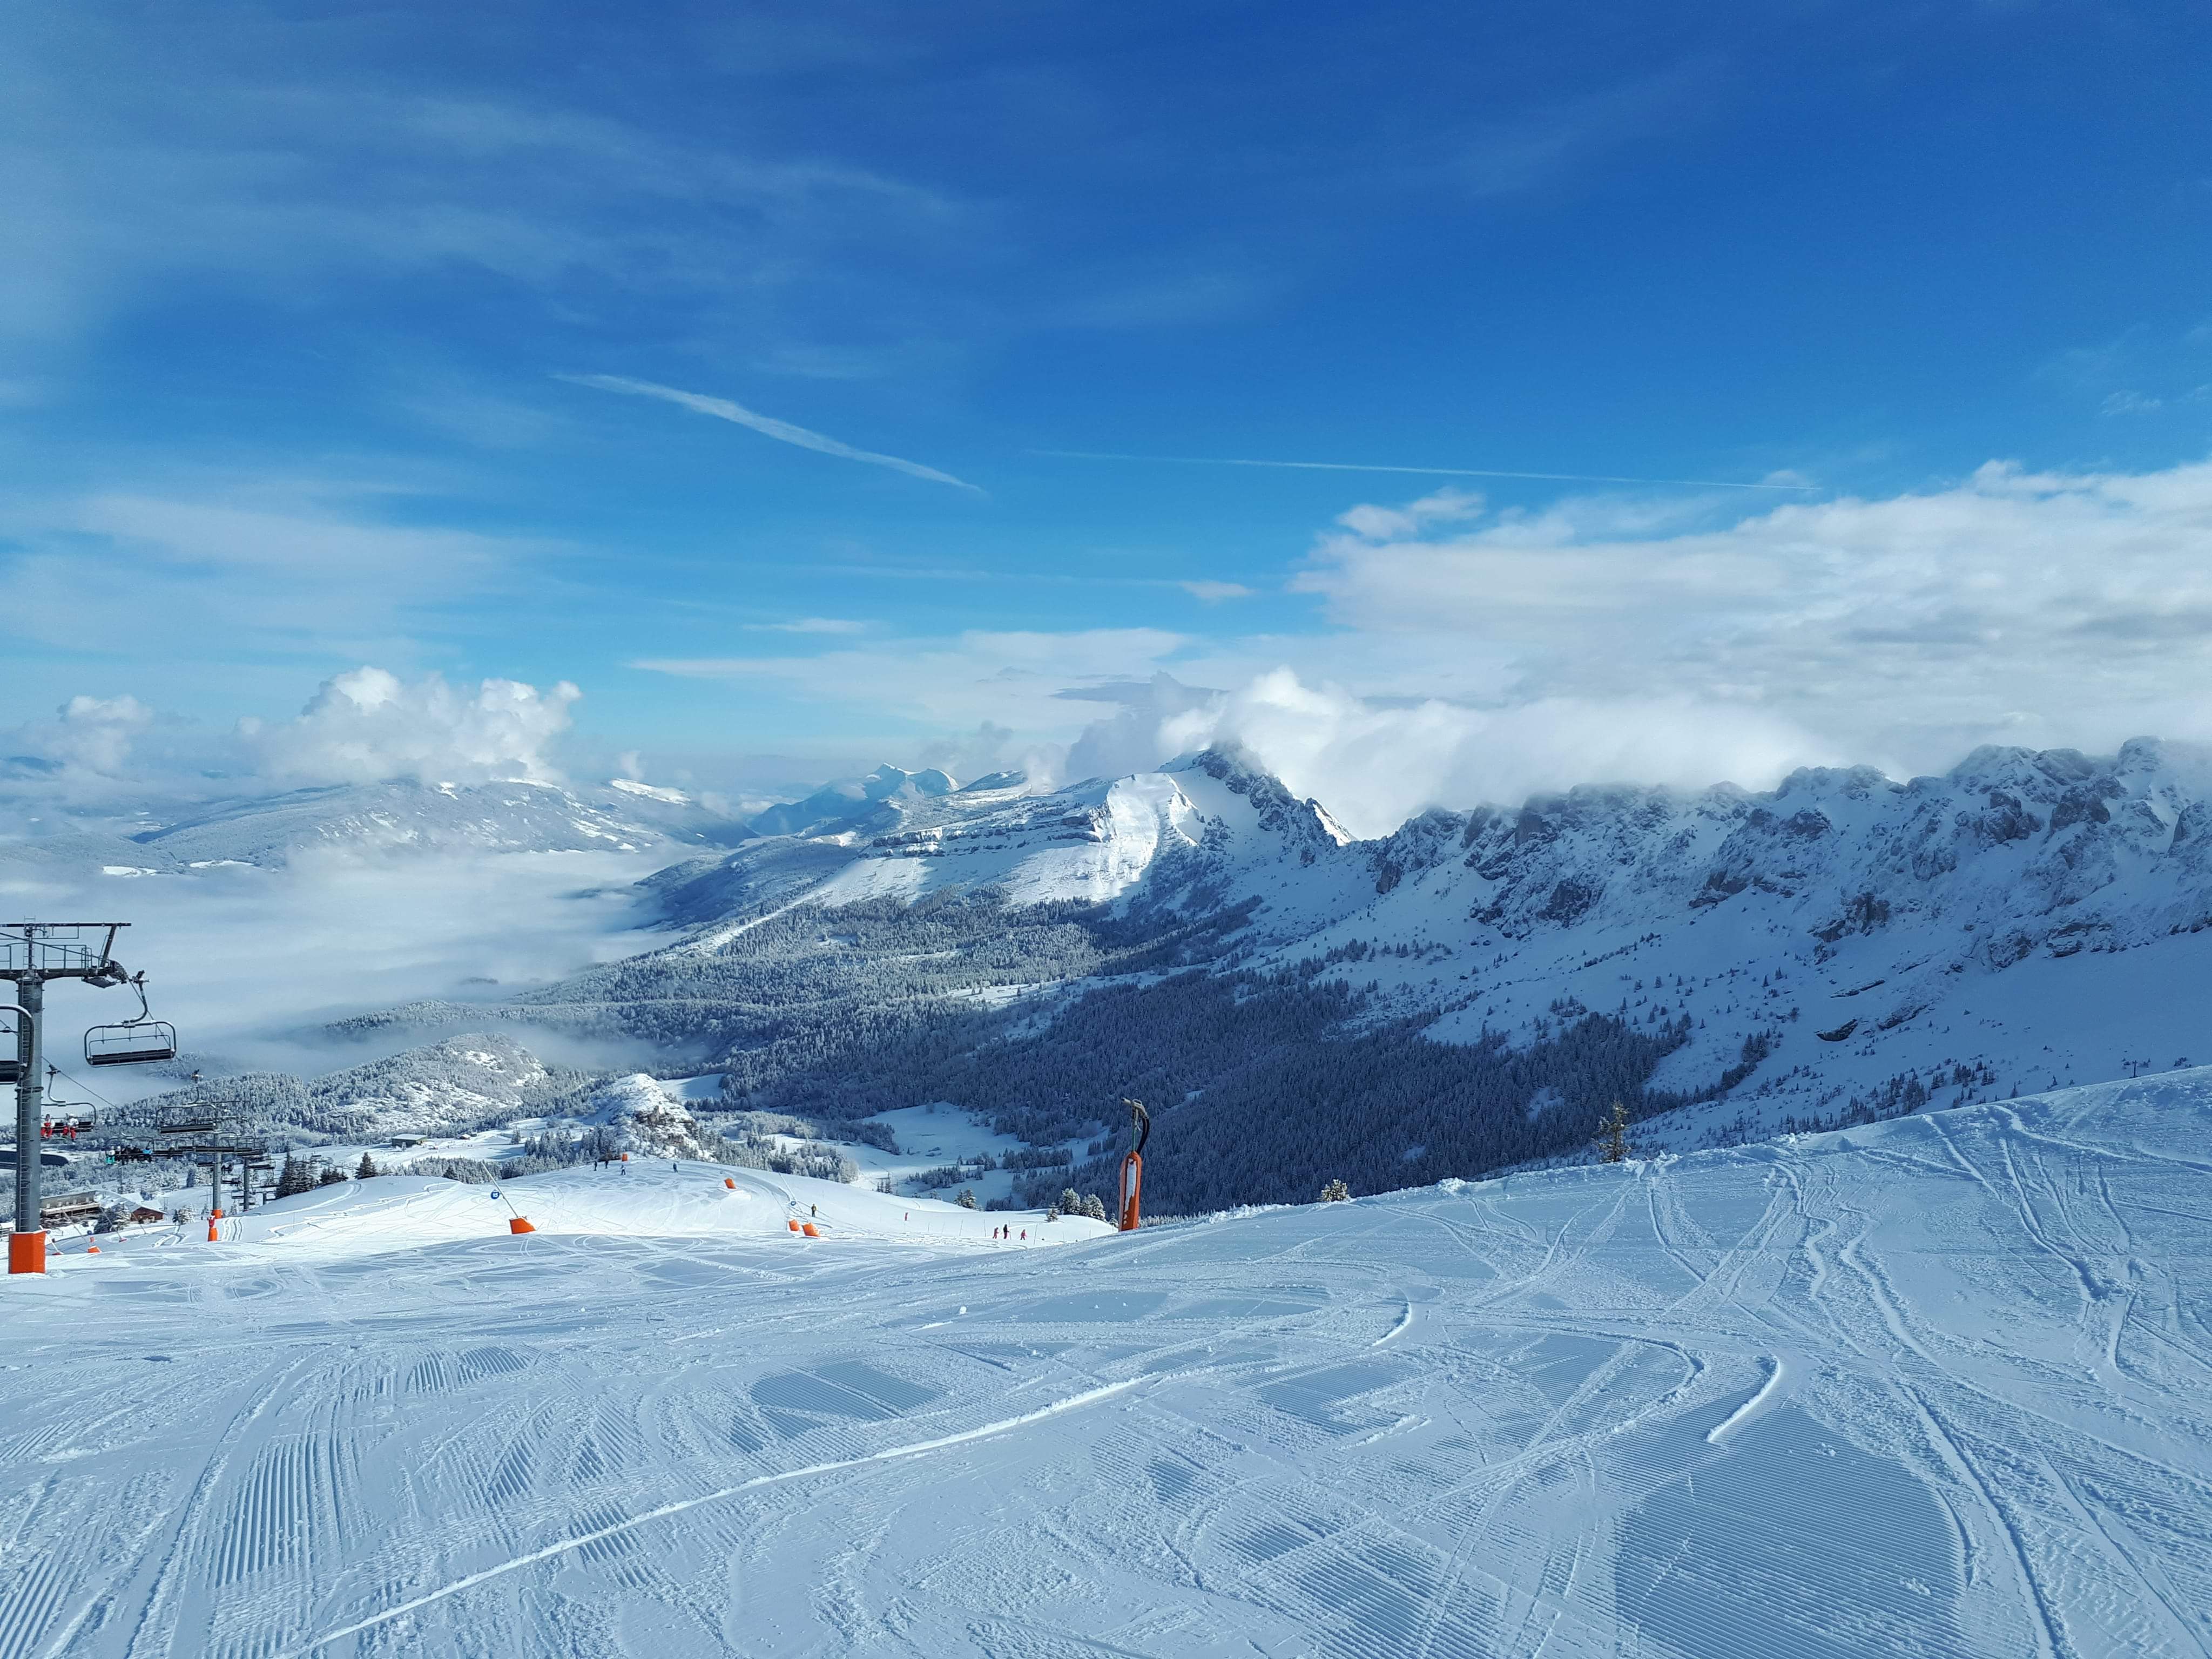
x,y
1932,1388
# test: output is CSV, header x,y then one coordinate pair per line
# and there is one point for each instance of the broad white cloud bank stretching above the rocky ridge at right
x,y
2018,607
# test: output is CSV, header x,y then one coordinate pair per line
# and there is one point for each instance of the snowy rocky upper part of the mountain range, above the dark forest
x,y
1839,946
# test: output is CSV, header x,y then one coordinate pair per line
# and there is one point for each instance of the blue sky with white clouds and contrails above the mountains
x,y
344,337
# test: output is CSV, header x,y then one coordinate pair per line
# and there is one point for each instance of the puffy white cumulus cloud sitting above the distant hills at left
x,y
368,724
